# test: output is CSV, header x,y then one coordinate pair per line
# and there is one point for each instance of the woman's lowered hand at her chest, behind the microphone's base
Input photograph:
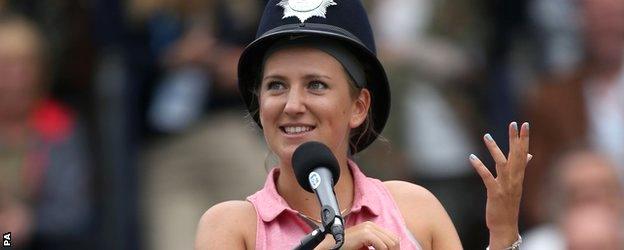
x,y
364,235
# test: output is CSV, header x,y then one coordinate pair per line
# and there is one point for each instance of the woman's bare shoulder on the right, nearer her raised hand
x,y
424,215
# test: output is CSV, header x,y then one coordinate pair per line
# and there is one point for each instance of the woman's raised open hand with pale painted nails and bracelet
x,y
505,190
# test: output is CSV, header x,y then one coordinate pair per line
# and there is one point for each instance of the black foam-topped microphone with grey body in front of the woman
x,y
317,170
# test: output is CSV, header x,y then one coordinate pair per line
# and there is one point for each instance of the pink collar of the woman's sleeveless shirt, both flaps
x,y
270,204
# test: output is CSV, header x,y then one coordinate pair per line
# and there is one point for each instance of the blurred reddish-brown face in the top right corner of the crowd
x,y
604,29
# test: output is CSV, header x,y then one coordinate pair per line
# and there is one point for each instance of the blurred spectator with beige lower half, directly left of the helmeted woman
x,y
197,104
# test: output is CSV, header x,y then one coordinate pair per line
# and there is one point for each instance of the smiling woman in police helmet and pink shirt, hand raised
x,y
312,74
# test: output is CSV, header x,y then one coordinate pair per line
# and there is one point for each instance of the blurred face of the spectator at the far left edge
x,y
19,69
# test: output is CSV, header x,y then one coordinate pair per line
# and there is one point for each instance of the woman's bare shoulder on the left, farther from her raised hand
x,y
230,224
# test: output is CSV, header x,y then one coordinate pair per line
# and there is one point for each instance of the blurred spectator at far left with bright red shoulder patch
x,y
44,174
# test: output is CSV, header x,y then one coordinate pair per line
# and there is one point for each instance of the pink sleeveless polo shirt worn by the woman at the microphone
x,y
281,227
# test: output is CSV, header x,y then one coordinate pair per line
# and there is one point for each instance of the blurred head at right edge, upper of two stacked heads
x,y
590,179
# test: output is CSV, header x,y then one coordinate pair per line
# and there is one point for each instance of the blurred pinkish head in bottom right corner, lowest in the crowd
x,y
592,227
